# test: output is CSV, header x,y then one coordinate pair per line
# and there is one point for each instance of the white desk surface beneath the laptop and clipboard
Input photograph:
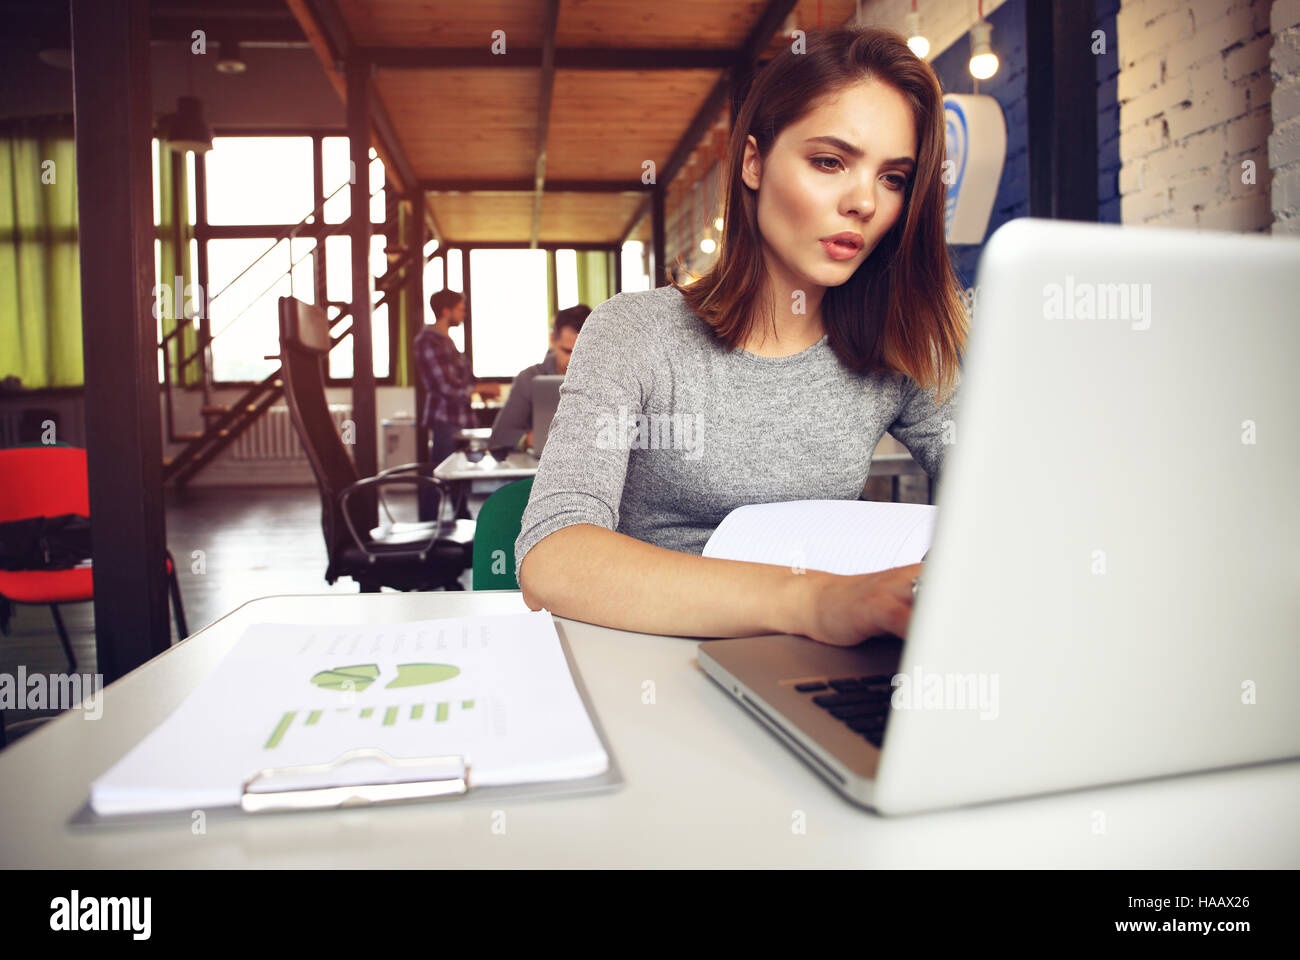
x,y
705,786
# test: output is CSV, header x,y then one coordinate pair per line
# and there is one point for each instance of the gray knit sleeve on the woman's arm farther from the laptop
x,y
582,474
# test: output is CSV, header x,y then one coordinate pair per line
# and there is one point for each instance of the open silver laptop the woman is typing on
x,y
1113,589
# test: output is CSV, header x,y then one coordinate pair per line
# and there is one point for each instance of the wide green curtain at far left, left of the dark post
x,y
41,338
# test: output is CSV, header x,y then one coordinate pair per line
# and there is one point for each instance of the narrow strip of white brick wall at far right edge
x,y
1285,139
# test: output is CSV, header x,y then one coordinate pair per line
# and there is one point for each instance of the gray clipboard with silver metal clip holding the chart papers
x,y
454,786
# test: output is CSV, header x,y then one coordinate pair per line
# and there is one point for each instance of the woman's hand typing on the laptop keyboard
x,y
846,611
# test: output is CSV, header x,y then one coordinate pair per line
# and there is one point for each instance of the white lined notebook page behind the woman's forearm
x,y
839,537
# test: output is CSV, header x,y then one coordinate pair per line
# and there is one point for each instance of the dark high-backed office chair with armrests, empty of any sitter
x,y
405,556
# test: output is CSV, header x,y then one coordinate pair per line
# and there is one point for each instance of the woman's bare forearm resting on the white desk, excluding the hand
x,y
587,573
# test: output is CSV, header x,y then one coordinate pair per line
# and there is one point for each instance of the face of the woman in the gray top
x,y
843,168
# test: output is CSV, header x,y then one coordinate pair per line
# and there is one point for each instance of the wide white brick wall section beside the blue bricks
x,y
1197,103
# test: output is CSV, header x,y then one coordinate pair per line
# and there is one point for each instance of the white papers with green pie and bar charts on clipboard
x,y
496,690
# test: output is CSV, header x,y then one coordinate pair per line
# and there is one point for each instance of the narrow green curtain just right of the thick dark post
x,y
175,235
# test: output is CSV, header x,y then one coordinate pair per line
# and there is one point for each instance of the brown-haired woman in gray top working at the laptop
x,y
770,379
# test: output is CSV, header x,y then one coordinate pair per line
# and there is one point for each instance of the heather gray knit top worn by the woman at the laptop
x,y
661,433
